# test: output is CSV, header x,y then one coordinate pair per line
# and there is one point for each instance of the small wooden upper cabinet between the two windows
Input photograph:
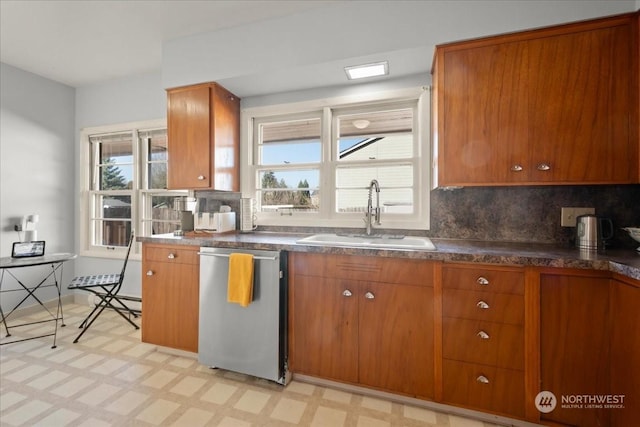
x,y
203,138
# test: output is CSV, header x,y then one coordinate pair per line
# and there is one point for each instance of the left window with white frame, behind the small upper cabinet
x,y
125,187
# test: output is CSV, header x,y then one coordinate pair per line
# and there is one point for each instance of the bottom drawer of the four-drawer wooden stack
x,y
483,387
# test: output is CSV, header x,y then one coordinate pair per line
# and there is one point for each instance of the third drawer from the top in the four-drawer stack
x,y
489,343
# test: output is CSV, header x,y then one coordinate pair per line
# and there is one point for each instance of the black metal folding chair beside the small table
x,y
105,287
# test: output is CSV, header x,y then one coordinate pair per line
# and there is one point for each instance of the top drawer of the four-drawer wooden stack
x,y
504,280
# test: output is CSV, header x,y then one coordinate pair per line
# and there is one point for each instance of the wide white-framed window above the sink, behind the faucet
x,y
314,167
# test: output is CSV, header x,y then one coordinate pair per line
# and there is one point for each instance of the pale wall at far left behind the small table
x,y
37,167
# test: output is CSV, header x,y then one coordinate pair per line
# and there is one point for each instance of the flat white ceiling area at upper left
x,y
79,43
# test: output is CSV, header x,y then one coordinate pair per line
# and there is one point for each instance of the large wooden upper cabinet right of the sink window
x,y
557,105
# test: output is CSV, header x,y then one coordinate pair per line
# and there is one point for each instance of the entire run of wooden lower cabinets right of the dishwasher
x,y
482,337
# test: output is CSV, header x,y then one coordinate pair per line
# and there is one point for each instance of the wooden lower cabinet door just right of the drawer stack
x,y
574,344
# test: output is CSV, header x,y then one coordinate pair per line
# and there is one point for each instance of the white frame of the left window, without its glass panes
x,y
141,196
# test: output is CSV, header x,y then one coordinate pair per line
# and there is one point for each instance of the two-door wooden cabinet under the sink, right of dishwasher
x,y
349,322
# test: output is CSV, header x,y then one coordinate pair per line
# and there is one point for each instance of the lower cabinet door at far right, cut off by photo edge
x,y
625,352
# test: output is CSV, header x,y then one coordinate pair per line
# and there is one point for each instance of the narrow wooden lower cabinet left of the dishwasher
x,y
170,296
